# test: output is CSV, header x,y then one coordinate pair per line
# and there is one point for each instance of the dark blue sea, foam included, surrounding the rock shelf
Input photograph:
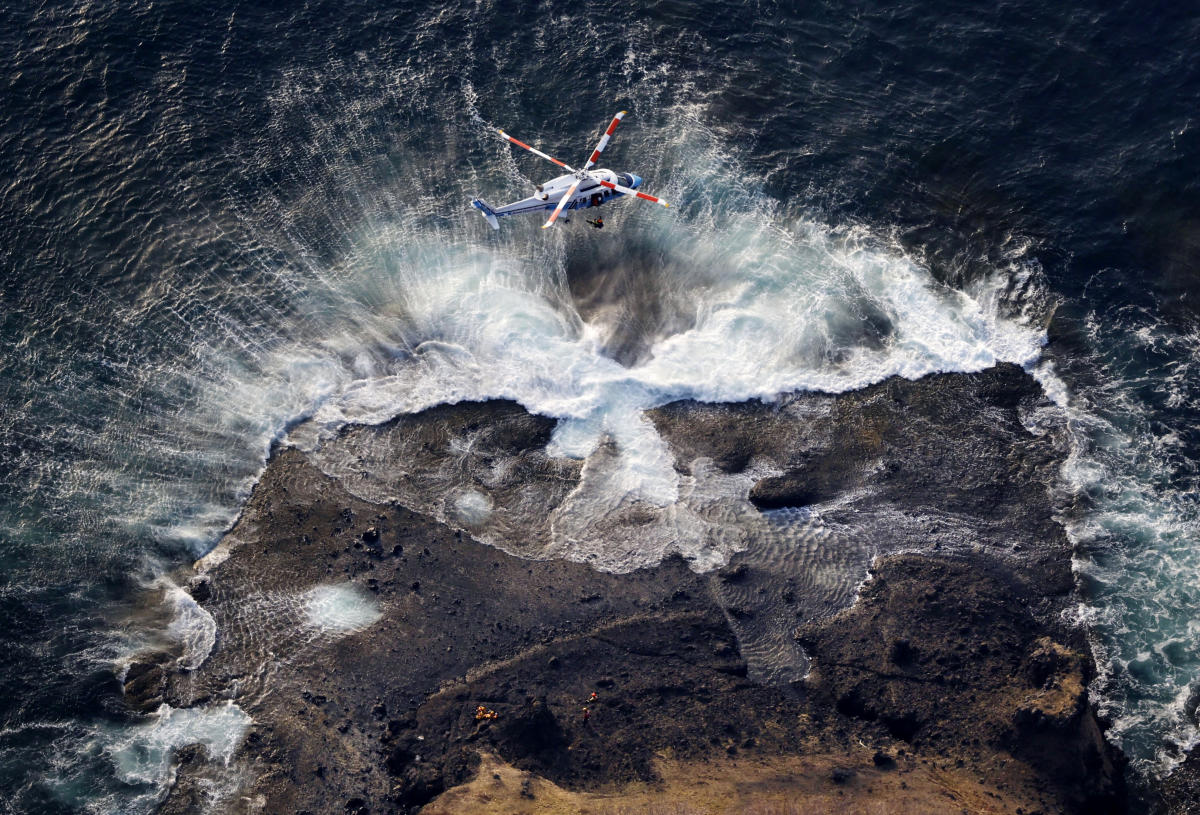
x,y
220,219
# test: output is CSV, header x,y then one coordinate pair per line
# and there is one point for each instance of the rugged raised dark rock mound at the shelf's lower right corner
x,y
944,652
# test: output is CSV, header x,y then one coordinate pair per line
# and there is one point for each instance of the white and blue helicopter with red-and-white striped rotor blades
x,y
579,189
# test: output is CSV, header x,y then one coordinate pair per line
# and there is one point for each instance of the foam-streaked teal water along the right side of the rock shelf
x,y
1137,546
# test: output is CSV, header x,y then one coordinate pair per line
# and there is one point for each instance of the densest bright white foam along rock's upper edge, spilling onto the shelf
x,y
777,308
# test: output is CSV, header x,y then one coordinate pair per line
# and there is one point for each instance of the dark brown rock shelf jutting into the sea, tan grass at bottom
x,y
485,681
